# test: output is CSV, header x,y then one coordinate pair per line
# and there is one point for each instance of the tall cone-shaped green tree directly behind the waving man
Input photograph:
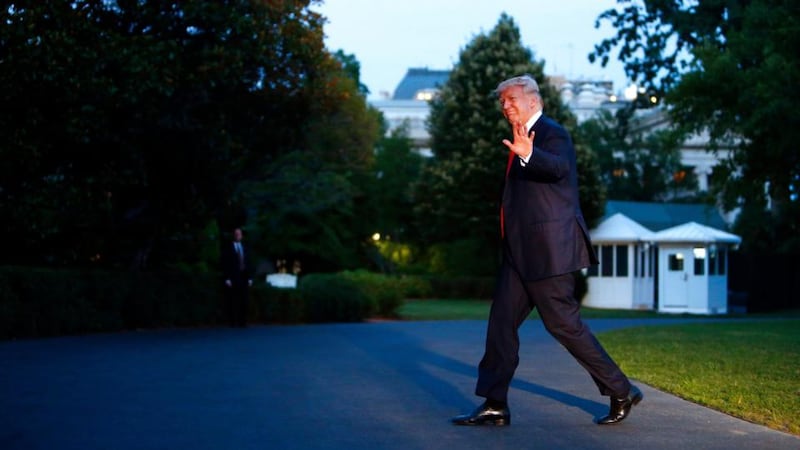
x,y
459,191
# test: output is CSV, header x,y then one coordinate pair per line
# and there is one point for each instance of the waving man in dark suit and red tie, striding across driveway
x,y
545,241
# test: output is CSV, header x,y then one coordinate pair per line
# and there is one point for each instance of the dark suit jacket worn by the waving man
x,y
545,232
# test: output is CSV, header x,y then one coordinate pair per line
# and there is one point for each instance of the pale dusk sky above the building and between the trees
x,y
390,36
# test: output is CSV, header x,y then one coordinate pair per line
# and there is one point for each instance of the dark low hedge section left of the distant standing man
x,y
46,302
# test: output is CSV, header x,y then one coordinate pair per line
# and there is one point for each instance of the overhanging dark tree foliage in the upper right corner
x,y
731,68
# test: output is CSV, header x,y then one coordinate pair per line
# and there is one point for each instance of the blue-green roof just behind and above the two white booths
x,y
660,216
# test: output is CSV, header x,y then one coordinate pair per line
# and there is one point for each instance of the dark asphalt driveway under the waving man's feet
x,y
387,385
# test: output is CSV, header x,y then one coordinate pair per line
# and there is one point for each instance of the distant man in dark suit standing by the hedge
x,y
238,279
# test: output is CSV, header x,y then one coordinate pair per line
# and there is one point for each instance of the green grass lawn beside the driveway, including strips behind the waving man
x,y
748,369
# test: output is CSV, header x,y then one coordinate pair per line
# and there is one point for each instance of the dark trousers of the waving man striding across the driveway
x,y
513,301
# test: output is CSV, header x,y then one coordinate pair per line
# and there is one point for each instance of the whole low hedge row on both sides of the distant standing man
x,y
41,302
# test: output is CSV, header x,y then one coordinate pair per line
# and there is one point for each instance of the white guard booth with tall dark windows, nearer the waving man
x,y
624,279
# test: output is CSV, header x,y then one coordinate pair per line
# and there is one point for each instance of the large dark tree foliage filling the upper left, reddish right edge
x,y
130,126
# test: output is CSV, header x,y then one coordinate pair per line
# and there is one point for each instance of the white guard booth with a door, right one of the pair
x,y
693,269
